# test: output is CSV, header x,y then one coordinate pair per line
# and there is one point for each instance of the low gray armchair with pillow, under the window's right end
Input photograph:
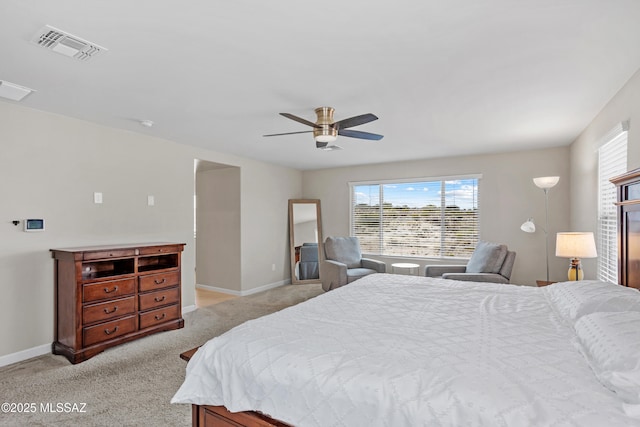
x,y
490,262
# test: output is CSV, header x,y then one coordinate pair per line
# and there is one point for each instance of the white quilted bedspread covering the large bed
x,y
391,350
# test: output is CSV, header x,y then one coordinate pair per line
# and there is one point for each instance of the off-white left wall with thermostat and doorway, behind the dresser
x,y
50,165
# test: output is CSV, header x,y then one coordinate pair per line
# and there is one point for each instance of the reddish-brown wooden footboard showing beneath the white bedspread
x,y
219,416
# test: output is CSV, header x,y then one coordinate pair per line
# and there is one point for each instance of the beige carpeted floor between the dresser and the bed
x,y
132,384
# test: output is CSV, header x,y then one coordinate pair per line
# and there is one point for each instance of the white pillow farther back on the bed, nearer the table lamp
x,y
576,299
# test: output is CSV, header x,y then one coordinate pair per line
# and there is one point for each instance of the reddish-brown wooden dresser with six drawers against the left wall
x,y
108,295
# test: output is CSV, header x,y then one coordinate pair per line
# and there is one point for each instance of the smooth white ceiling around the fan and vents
x,y
445,77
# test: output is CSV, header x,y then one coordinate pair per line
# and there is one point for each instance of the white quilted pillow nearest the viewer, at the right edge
x,y
611,343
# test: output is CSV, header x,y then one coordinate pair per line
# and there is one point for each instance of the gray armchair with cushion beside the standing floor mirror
x,y
344,264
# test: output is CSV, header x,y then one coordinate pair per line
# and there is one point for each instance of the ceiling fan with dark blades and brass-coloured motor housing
x,y
325,130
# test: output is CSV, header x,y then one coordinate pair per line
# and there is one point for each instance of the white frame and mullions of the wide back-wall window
x,y
430,179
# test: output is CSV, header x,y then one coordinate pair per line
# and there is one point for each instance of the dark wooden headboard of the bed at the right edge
x,y
628,186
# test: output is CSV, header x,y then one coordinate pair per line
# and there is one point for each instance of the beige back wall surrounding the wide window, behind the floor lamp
x,y
507,198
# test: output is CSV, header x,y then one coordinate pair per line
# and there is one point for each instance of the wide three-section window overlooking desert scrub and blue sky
x,y
435,217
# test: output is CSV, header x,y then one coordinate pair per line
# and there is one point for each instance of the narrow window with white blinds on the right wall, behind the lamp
x,y
612,161
